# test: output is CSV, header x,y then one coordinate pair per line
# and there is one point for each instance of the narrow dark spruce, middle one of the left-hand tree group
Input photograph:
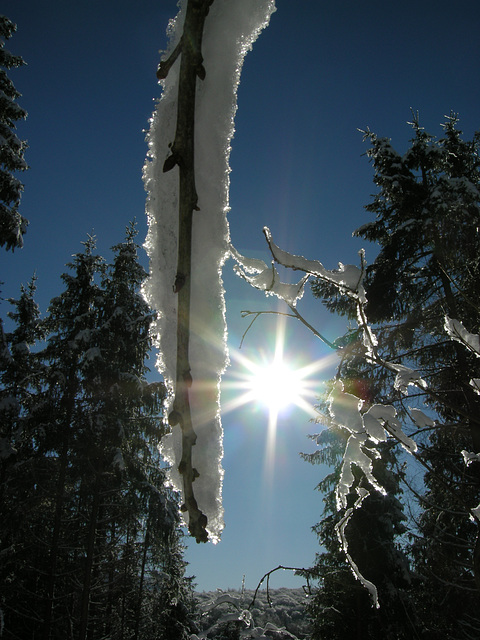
x,y
71,322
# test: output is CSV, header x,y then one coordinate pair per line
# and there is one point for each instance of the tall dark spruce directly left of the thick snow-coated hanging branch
x,y
137,510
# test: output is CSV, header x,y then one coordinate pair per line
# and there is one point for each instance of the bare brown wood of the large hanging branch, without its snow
x,y
182,155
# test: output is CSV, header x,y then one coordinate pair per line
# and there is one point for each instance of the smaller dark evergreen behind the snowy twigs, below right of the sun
x,y
342,607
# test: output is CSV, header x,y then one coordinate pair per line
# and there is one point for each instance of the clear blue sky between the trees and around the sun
x,y
320,71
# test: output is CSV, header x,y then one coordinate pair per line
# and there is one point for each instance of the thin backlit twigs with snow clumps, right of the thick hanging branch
x,y
367,426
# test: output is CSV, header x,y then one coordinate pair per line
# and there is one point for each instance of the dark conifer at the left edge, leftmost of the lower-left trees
x,y
20,501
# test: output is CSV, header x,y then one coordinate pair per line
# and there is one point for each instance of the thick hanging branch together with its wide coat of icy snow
x,y
186,176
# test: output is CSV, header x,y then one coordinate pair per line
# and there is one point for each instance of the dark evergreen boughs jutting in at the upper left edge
x,y
12,225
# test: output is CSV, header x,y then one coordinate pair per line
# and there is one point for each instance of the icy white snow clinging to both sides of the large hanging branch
x,y
231,27
